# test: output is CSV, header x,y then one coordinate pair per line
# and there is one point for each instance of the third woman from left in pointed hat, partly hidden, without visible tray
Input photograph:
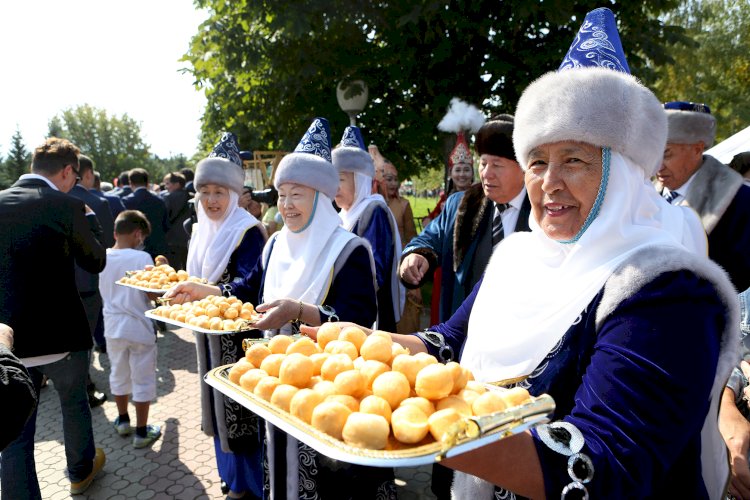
x,y
367,215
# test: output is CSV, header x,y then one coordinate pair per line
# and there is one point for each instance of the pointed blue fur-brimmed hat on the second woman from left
x,y
310,163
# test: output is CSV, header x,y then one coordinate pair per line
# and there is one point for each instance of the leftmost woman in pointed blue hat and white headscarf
x,y
225,245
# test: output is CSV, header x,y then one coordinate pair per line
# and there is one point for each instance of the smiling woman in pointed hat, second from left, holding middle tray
x,y
306,276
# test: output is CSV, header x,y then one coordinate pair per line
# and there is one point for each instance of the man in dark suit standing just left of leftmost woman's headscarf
x,y
178,210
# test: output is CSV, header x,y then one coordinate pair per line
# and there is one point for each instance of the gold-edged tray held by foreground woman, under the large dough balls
x,y
476,431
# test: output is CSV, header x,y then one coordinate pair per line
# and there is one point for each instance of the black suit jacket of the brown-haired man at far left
x,y
45,233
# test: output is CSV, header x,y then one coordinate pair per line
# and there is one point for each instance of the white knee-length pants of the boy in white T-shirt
x,y
133,369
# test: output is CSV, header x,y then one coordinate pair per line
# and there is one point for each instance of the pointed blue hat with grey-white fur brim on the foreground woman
x,y
593,98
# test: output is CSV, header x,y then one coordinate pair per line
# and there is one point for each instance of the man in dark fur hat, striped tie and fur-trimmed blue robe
x,y
460,239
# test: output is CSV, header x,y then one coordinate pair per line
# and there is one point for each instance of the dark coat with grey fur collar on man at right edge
x,y
722,201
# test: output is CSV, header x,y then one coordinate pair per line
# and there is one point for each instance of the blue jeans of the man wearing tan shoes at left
x,y
18,469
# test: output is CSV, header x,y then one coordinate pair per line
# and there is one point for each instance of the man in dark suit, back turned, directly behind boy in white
x,y
153,207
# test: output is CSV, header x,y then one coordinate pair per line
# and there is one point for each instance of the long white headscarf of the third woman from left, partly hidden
x,y
363,197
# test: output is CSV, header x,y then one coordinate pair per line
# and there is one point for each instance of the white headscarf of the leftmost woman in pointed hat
x,y
213,241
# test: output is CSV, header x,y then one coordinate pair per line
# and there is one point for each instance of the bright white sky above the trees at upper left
x,y
122,57
